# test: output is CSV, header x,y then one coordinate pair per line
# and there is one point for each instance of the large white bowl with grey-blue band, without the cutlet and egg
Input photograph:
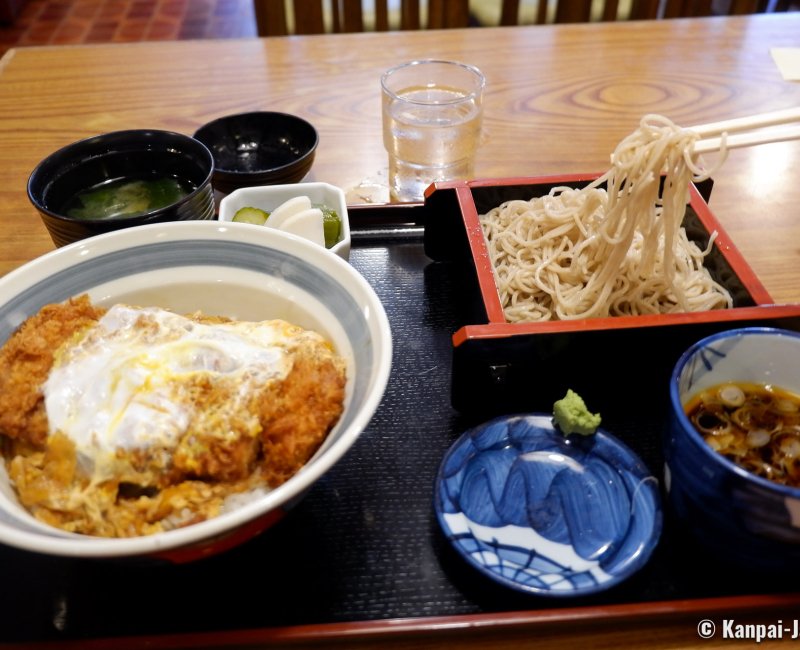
x,y
220,269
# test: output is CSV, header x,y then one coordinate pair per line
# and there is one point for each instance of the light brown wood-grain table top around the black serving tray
x,y
558,100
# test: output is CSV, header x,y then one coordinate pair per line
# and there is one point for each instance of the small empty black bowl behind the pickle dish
x,y
259,148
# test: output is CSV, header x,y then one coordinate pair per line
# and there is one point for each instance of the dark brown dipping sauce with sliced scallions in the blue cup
x,y
754,425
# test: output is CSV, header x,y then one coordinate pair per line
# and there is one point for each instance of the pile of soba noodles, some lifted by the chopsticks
x,y
590,252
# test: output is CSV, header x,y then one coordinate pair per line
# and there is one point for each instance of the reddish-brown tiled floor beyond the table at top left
x,y
46,22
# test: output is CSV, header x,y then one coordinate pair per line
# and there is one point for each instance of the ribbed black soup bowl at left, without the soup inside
x,y
116,156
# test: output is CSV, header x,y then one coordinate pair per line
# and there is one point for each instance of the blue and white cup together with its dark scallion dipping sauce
x,y
743,518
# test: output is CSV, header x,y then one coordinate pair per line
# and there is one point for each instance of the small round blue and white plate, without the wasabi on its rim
x,y
544,513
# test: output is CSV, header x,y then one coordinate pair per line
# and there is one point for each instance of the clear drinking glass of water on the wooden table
x,y
432,113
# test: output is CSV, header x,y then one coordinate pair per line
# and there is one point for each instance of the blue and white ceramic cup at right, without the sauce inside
x,y
741,517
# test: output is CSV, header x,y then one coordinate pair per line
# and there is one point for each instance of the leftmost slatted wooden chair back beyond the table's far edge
x,y
319,16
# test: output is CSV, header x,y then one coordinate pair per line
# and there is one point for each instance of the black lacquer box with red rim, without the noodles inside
x,y
514,366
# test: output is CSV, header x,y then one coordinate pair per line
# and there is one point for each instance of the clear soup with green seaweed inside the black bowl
x,y
125,197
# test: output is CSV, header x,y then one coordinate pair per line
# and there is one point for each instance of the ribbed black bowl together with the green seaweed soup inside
x,y
121,179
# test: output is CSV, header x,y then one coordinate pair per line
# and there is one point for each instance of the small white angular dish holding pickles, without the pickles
x,y
269,197
